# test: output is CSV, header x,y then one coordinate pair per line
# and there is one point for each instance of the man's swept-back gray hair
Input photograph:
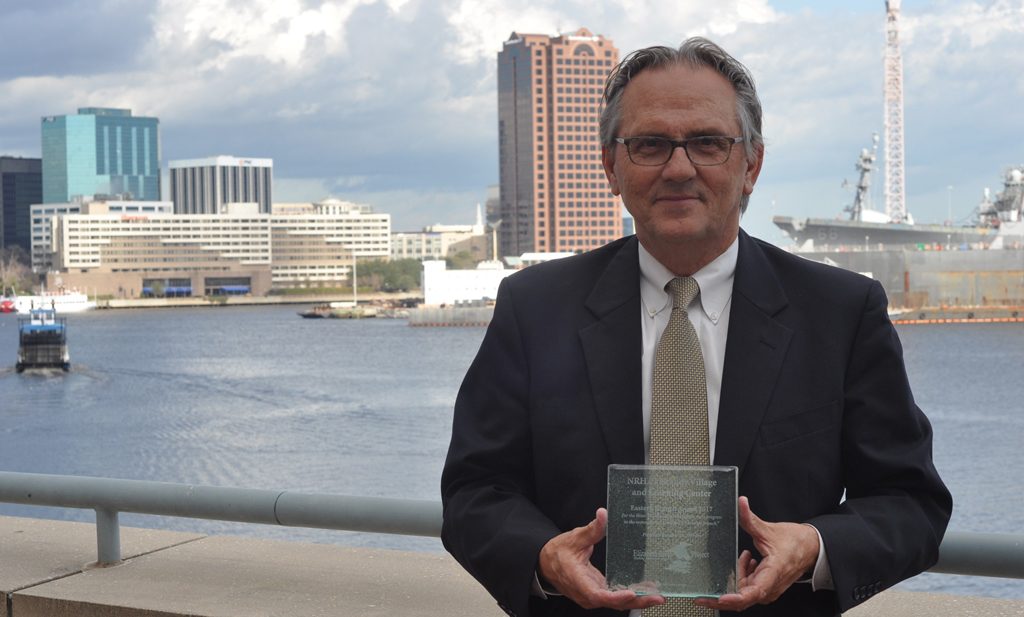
x,y
697,53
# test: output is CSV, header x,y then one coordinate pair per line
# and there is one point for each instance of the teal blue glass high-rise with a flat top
x,y
101,152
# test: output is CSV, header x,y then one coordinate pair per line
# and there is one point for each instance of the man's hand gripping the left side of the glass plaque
x,y
565,564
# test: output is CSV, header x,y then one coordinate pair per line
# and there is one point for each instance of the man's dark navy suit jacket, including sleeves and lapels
x,y
815,404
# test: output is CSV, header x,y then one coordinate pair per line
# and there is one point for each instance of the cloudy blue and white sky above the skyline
x,y
393,103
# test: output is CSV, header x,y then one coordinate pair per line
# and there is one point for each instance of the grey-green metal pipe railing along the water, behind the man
x,y
999,555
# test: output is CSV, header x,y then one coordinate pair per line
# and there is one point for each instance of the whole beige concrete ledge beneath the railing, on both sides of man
x,y
46,572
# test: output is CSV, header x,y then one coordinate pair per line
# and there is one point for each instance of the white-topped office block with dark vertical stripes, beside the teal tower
x,y
208,186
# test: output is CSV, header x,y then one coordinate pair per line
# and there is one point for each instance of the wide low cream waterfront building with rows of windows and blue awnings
x,y
241,251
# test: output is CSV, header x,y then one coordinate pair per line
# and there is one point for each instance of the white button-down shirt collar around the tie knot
x,y
715,282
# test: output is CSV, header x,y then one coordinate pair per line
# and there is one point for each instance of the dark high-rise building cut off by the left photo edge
x,y
21,187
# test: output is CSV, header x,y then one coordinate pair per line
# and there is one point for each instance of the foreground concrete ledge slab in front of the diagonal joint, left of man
x,y
235,578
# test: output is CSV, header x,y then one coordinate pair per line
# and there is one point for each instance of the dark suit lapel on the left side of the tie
x,y
612,347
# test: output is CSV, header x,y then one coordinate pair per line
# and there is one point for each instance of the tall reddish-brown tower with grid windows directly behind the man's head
x,y
554,196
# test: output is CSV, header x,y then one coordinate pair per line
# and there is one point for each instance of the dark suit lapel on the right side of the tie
x,y
755,349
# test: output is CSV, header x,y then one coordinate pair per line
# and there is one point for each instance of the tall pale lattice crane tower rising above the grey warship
x,y
895,187
